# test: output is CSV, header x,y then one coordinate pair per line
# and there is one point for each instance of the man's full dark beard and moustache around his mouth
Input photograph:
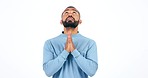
x,y
70,23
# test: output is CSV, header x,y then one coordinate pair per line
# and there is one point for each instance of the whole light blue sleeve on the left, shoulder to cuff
x,y
51,64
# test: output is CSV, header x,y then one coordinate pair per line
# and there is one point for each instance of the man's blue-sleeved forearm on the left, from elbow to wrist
x,y
52,66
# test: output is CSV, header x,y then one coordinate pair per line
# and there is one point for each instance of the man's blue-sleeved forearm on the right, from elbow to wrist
x,y
89,66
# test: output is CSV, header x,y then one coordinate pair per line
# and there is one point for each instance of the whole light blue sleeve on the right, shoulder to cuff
x,y
88,64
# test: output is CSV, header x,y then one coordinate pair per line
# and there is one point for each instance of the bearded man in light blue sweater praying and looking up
x,y
70,55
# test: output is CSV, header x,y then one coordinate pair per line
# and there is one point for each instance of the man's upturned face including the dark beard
x,y
70,17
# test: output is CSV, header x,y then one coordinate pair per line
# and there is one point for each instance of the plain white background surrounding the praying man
x,y
119,27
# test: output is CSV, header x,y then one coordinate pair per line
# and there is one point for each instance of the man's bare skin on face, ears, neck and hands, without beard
x,y
69,46
